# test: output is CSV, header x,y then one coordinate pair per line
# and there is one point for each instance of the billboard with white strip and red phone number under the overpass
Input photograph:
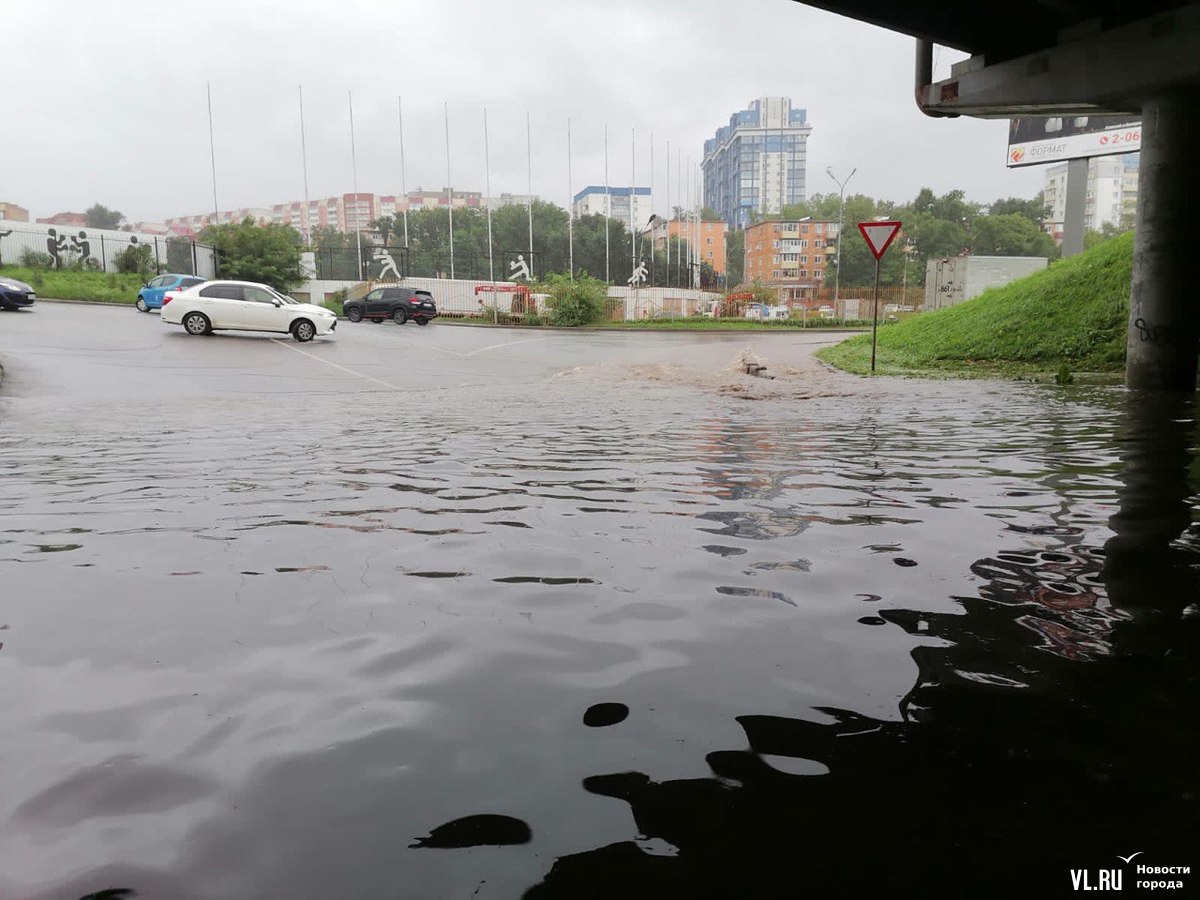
x,y
1037,140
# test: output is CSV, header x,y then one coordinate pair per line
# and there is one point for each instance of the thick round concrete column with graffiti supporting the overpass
x,y
1165,311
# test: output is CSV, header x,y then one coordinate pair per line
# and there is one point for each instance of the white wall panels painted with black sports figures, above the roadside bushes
x,y
98,248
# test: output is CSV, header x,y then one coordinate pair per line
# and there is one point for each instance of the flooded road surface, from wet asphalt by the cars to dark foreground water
x,y
457,613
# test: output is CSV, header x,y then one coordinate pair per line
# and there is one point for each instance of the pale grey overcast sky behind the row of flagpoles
x,y
106,101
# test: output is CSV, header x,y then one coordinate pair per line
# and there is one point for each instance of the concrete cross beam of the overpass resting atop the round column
x,y
1107,71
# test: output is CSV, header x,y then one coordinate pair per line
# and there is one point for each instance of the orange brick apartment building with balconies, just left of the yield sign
x,y
791,256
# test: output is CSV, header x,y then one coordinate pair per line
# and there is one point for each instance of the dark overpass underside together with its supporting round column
x,y
1076,57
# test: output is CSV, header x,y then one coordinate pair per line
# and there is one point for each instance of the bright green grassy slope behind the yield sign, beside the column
x,y
1073,315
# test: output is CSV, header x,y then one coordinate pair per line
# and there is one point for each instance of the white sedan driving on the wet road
x,y
244,307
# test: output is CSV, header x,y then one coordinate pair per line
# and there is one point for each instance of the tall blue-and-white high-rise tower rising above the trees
x,y
759,163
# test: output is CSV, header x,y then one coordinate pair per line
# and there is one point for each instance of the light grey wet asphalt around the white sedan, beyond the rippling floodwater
x,y
67,357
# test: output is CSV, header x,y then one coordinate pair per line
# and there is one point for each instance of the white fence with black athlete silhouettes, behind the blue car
x,y
40,247
